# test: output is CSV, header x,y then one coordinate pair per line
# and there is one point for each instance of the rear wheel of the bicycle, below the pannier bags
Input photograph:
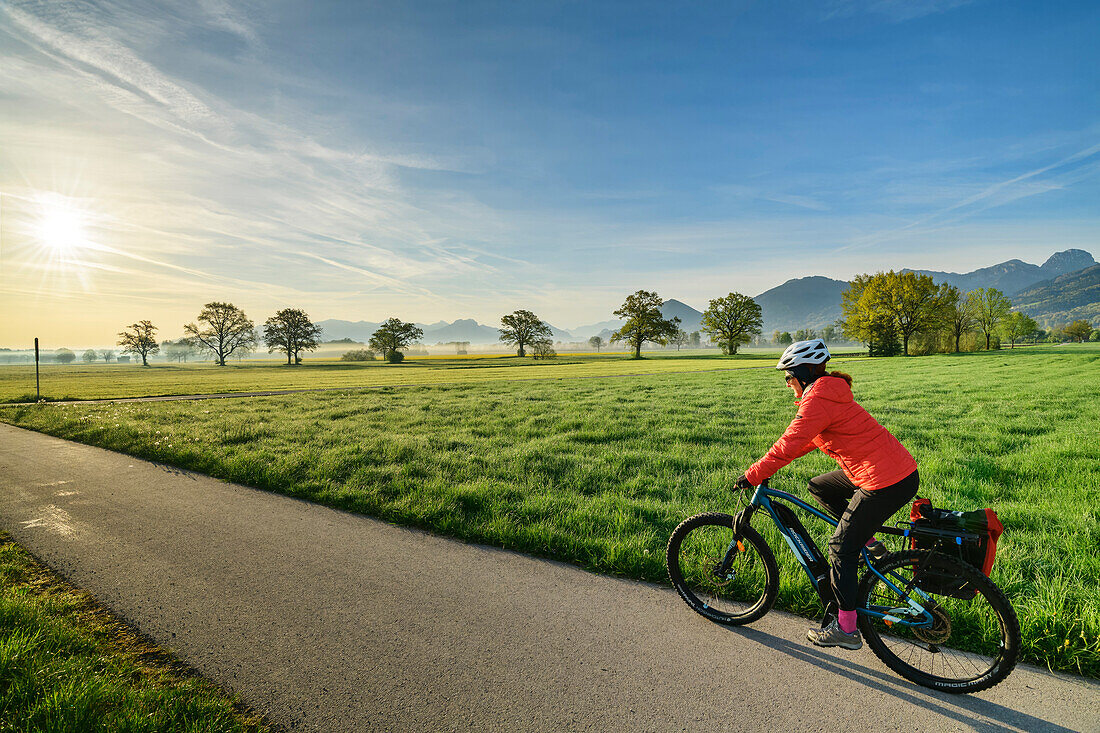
x,y
974,642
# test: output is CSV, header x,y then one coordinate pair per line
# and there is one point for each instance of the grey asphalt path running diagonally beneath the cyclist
x,y
327,621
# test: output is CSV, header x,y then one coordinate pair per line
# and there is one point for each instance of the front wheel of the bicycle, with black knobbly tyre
x,y
728,583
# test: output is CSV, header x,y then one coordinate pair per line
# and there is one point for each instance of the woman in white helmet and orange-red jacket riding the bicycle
x,y
878,476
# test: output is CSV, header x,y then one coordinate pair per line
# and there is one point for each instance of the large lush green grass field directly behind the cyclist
x,y
600,472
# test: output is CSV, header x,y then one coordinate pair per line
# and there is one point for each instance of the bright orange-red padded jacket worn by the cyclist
x,y
831,420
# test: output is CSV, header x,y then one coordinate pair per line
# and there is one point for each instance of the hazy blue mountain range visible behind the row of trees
x,y
1063,289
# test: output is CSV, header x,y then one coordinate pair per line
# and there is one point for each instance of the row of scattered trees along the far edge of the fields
x,y
885,311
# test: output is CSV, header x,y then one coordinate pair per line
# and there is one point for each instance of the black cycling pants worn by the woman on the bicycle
x,y
861,513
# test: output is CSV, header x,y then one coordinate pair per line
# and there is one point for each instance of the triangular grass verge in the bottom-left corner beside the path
x,y
68,666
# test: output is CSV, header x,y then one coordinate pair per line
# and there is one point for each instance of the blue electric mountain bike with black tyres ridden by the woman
x,y
911,603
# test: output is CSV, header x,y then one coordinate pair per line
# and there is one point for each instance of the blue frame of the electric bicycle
x,y
914,616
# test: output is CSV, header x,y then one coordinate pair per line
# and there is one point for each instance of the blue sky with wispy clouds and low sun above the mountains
x,y
433,160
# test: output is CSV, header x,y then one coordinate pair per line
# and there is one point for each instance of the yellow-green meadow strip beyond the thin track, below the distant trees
x,y
106,381
